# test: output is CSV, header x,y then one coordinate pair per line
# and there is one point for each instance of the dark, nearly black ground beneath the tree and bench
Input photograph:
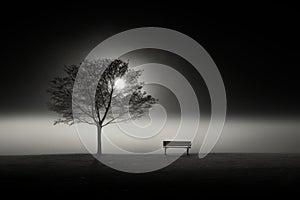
x,y
240,175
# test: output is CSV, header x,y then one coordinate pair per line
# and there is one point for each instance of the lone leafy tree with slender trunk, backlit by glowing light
x,y
118,95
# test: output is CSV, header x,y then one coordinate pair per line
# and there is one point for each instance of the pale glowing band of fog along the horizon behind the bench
x,y
24,135
